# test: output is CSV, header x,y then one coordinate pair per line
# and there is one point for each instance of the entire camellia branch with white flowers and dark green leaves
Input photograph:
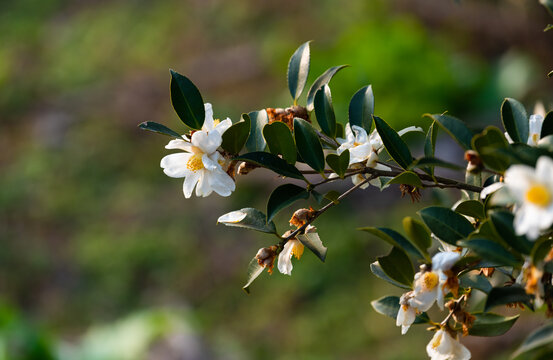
x,y
496,241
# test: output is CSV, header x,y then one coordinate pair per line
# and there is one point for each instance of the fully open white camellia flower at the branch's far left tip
x,y
201,165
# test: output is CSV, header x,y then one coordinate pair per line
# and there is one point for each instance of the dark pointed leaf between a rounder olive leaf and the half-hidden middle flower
x,y
309,145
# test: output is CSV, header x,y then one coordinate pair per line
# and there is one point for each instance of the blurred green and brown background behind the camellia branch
x,y
102,258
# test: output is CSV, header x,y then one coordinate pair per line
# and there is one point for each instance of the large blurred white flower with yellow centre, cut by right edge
x,y
533,191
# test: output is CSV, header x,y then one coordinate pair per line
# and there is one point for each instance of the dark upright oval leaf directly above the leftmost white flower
x,y
187,101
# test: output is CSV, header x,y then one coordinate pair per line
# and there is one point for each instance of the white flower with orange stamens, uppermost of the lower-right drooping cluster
x,y
431,285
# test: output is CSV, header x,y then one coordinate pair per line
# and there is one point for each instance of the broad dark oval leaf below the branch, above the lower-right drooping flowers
x,y
446,224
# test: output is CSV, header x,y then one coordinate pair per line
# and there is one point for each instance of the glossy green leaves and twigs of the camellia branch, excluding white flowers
x,y
482,229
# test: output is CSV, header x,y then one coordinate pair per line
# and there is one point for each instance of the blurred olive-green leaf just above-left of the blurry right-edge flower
x,y
487,143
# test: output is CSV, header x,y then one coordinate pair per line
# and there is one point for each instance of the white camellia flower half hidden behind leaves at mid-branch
x,y
364,149
